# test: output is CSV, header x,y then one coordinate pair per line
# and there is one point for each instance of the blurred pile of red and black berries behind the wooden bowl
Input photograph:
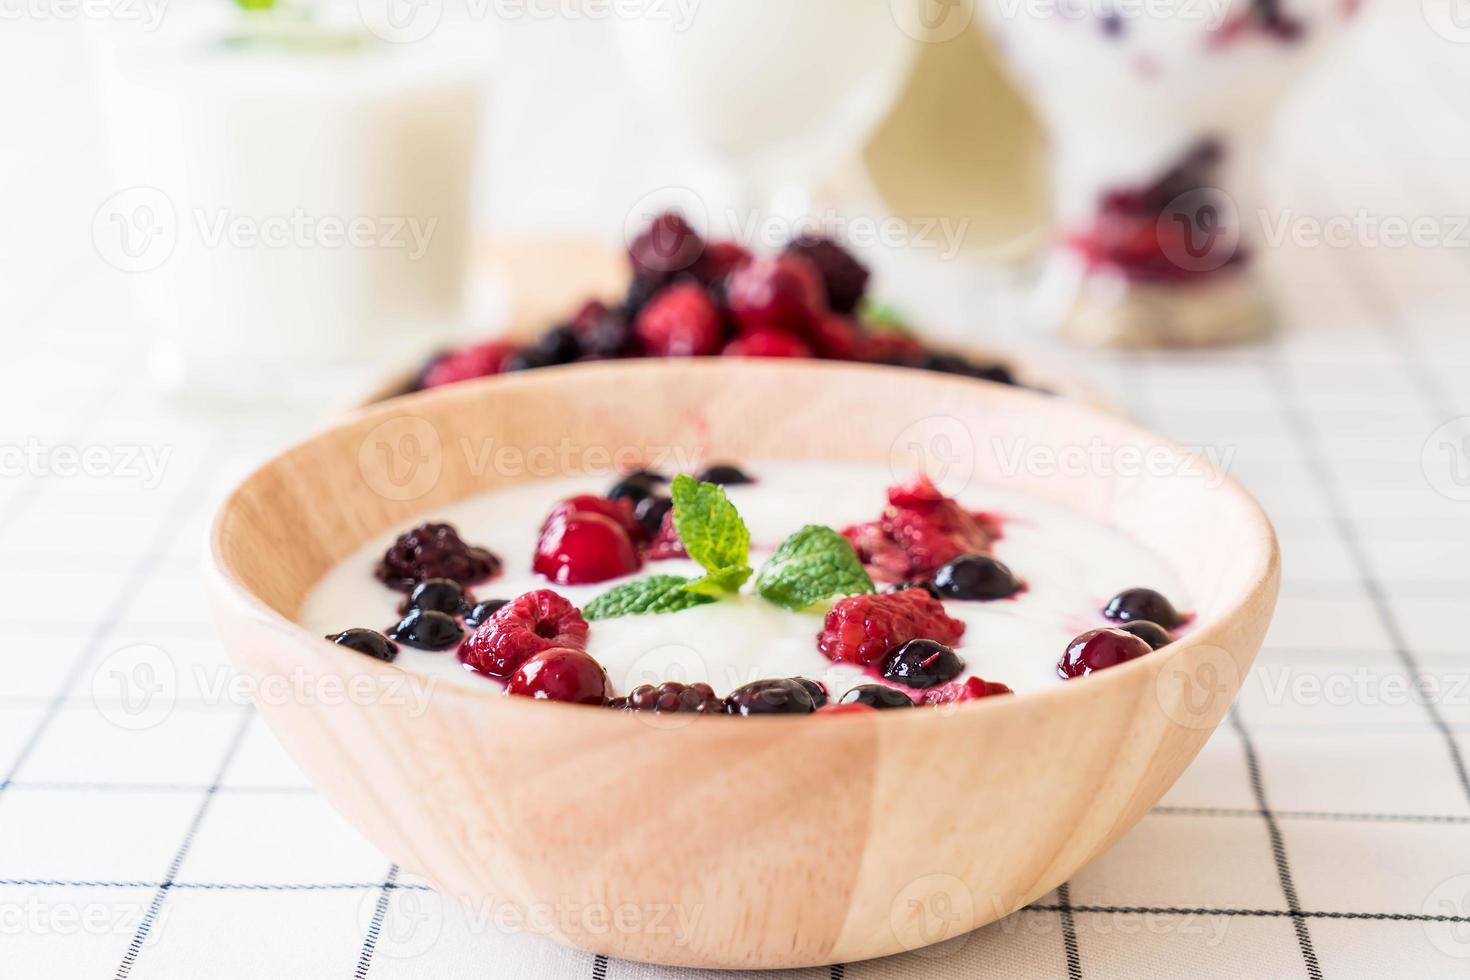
x,y
696,299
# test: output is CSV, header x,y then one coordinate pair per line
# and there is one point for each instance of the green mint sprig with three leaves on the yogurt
x,y
812,565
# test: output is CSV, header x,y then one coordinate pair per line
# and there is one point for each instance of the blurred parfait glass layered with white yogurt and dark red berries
x,y
1156,115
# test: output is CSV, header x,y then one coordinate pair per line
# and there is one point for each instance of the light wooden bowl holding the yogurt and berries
x,y
739,843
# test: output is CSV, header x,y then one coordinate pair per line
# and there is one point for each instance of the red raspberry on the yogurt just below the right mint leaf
x,y
862,630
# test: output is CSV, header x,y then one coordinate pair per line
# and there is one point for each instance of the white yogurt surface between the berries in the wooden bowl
x,y
1071,565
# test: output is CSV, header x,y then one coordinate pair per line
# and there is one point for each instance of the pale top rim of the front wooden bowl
x,y
1262,578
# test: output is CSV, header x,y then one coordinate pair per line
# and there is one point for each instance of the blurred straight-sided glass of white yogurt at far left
x,y
295,196
